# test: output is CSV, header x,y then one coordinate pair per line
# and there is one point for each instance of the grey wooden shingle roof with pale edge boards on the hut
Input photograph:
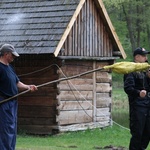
x,y
41,26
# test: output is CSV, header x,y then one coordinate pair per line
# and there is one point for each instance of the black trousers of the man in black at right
x,y
139,127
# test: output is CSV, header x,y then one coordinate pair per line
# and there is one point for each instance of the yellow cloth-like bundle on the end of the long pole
x,y
127,67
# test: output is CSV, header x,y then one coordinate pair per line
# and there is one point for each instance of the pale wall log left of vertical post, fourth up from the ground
x,y
75,95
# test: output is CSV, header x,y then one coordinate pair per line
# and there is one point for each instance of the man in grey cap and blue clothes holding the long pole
x,y
9,86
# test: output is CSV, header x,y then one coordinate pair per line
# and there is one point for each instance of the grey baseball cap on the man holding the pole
x,y
8,48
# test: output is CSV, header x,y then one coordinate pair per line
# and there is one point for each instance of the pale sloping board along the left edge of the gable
x,y
73,19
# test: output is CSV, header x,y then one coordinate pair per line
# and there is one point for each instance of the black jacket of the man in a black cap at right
x,y
133,84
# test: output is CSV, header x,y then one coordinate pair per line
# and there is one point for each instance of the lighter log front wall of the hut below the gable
x,y
86,99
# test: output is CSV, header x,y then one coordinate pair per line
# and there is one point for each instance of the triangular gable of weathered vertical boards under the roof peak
x,y
90,35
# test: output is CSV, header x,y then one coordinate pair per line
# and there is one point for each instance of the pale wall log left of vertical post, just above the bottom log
x,y
71,117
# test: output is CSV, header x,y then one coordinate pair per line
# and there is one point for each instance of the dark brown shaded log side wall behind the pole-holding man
x,y
37,110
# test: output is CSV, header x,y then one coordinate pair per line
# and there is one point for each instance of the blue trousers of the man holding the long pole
x,y
8,125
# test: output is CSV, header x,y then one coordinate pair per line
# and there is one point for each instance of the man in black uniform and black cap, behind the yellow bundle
x,y
137,87
